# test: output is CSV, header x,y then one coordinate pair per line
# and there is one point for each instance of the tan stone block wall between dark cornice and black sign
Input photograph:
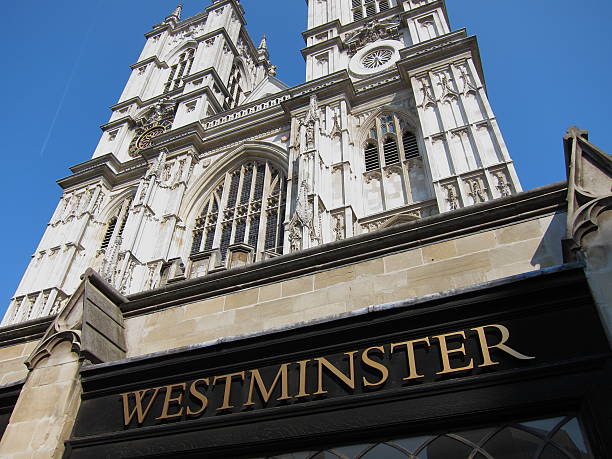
x,y
455,263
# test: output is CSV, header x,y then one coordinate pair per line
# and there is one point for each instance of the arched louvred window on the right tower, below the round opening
x,y
389,180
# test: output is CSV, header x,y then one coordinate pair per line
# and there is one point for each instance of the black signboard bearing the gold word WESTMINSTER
x,y
517,348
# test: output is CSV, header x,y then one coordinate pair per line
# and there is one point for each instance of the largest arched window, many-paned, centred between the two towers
x,y
247,207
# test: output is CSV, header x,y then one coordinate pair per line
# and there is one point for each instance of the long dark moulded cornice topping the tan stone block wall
x,y
405,236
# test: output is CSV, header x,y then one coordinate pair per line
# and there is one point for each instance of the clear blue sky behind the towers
x,y
547,65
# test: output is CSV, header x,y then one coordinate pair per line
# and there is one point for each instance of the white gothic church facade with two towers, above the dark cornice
x,y
210,162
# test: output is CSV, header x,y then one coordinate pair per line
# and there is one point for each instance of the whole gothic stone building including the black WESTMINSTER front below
x,y
347,268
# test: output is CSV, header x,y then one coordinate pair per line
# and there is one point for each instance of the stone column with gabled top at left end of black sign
x,y
88,329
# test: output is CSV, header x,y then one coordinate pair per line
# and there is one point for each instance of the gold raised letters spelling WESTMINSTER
x,y
384,366
